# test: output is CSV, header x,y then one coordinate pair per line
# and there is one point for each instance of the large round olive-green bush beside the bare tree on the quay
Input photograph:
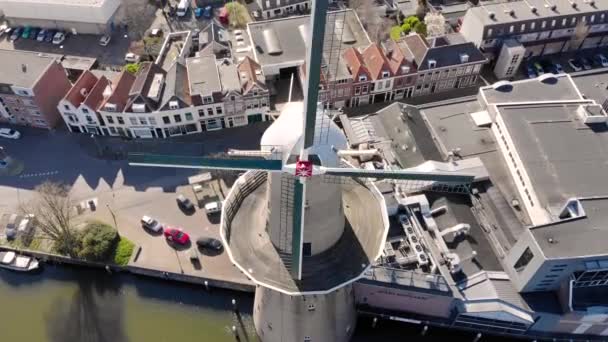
x,y
97,240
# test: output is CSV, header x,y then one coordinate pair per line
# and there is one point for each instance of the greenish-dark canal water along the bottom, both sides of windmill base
x,y
65,304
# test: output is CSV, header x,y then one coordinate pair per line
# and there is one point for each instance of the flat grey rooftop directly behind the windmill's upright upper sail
x,y
284,40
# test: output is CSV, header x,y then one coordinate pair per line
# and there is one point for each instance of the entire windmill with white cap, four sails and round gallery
x,y
300,223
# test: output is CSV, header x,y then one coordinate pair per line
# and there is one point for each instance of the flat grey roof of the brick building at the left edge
x,y
22,69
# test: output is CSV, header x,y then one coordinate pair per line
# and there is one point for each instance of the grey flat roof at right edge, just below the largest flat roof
x,y
576,237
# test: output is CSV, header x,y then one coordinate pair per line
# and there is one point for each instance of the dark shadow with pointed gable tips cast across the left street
x,y
66,157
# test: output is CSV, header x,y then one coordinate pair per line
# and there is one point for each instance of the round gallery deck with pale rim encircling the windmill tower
x,y
244,229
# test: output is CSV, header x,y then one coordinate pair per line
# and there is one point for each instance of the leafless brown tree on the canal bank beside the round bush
x,y
53,210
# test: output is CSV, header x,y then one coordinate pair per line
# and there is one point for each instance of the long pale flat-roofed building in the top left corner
x,y
76,16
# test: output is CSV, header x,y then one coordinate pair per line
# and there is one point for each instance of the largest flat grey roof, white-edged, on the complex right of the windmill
x,y
563,157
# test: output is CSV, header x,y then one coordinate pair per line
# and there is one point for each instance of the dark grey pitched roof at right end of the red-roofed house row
x,y
450,55
